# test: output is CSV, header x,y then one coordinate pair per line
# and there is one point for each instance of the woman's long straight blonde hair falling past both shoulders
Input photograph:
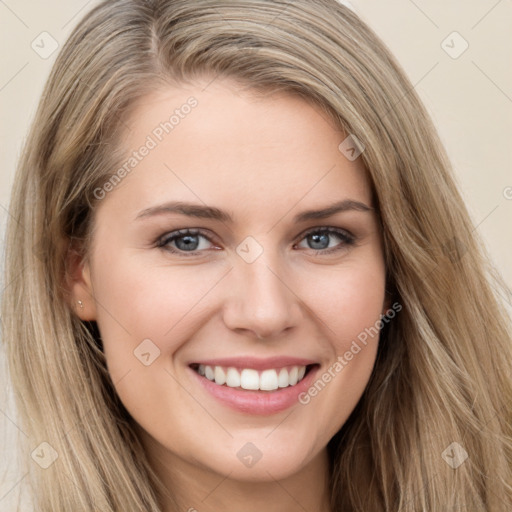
x,y
444,364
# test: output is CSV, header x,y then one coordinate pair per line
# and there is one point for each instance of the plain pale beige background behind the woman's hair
x,y
469,98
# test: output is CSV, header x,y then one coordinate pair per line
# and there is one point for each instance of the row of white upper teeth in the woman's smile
x,y
248,378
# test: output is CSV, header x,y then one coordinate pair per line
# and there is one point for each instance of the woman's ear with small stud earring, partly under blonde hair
x,y
79,285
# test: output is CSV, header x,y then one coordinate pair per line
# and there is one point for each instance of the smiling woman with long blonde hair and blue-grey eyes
x,y
332,341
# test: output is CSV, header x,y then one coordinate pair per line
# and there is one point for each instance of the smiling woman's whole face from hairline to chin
x,y
241,245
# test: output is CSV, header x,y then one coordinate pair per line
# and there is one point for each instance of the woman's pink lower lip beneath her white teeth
x,y
258,402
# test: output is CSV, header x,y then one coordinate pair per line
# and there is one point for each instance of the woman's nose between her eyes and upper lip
x,y
261,300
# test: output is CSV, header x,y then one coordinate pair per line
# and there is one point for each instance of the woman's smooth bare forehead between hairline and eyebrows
x,y
218,143
